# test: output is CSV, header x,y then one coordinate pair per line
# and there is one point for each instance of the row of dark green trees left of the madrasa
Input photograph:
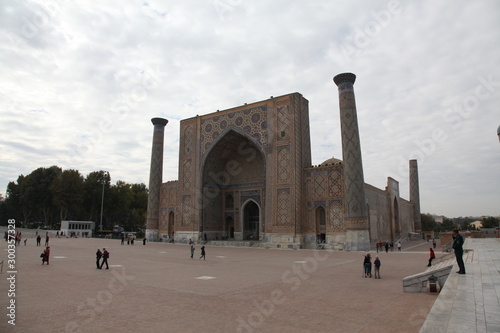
x,y
48,196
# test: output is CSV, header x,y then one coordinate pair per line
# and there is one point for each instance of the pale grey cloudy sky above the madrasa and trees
x,y
80,81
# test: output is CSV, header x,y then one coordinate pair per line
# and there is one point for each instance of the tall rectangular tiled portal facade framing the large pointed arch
x,y
278,129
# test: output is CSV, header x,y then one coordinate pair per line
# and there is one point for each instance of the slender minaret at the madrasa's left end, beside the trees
x,y
155,179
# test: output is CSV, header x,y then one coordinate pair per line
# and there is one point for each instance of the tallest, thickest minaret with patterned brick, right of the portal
x,y
356,217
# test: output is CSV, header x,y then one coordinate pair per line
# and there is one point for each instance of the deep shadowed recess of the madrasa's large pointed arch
x,y
233,172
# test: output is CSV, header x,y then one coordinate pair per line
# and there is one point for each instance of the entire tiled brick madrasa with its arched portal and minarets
x,y
246,178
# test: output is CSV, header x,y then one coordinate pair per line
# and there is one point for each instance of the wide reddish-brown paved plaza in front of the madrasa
x,y
158,288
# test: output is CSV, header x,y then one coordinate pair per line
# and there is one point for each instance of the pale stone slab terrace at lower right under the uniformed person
x,y
470,302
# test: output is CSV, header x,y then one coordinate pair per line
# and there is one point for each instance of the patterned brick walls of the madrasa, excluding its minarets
x,y
288,191
